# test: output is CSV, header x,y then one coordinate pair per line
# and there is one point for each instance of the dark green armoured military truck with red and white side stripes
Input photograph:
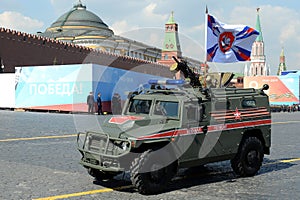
x,y
178,124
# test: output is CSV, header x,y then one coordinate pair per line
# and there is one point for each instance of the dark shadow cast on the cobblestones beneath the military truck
x,y
195,176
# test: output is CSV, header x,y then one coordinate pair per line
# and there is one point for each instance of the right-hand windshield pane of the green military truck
x,y
166,108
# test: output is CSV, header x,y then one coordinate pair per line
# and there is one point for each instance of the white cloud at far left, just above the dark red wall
x,y
17,21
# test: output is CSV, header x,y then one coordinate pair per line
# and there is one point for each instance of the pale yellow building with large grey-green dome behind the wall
x,y
82,27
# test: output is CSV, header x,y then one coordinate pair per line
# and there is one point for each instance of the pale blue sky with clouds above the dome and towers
x,y
143,21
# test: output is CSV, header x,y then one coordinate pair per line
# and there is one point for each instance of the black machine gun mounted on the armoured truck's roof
x,y
187,72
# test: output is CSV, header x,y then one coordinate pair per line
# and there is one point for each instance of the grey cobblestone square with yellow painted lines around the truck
x,y
37,162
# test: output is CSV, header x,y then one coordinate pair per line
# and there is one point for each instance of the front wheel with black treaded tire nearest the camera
x,y
151,172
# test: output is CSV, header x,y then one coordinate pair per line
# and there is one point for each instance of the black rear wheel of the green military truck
x,y
249,158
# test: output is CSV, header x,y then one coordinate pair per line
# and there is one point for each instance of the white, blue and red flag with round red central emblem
x,y
228,43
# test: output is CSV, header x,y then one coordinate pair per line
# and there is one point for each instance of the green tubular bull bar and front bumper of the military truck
x,y
102,152
